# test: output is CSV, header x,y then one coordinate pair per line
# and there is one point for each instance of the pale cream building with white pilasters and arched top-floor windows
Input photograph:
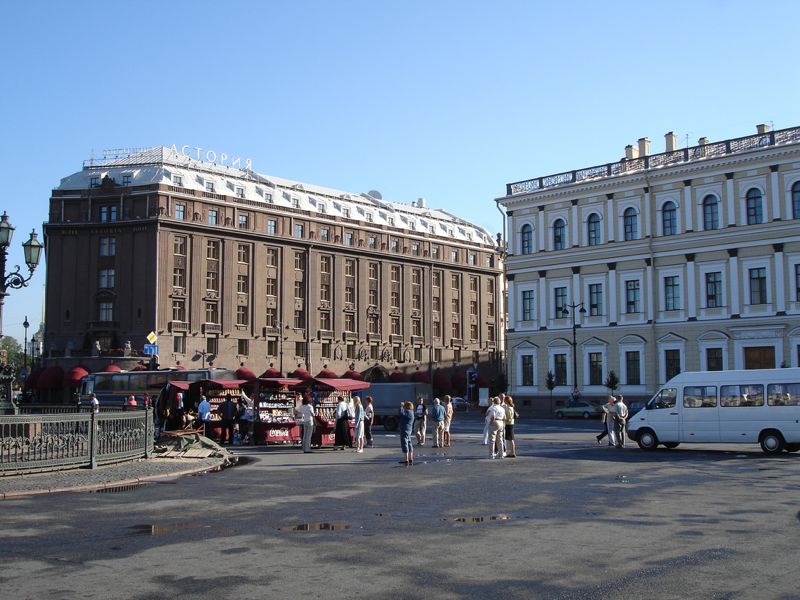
x,y
655,264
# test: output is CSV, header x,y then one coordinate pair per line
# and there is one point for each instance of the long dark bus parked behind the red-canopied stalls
x,y
113,387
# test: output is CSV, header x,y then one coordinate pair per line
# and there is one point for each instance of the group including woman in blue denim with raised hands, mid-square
x,y
414,424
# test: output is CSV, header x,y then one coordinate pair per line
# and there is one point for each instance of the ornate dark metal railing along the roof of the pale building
x,y
656,161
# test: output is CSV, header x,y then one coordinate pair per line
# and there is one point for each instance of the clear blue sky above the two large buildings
x,y
448,100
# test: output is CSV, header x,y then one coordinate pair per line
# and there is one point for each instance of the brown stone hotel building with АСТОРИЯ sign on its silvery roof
x,y
227,267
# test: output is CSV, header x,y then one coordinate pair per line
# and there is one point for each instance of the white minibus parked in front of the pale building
x,y
754,406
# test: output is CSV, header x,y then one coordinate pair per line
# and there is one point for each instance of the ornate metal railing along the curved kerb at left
x,y
43,442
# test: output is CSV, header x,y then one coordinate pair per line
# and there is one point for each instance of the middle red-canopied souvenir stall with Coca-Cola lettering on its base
x,y
275,404
